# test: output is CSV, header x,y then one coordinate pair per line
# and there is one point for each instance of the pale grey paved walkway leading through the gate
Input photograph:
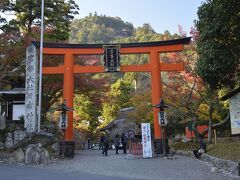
x,y
119,166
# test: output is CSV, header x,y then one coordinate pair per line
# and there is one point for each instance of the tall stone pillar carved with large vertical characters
x,y
30,119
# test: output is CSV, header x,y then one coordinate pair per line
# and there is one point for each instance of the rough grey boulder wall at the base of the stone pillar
x,y
28,148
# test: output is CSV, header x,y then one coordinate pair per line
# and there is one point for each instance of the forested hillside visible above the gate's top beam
x,y
104,29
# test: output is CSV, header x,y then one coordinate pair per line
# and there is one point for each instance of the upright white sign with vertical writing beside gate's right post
x,y
146,140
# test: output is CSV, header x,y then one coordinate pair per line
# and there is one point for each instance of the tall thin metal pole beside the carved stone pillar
x,y
40,69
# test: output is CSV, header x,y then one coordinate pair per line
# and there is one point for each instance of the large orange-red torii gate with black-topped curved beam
x,y
154,67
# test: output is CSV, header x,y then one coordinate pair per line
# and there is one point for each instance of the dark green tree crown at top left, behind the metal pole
x,y
58,15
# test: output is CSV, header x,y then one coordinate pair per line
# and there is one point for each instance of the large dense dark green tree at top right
x,y
219,43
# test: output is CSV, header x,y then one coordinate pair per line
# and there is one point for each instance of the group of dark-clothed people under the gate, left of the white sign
x,y
105,143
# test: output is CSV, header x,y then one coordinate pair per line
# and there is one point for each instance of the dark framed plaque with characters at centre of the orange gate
x,y
111,58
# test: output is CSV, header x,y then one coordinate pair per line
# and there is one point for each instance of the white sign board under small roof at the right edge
x,y
235,113
